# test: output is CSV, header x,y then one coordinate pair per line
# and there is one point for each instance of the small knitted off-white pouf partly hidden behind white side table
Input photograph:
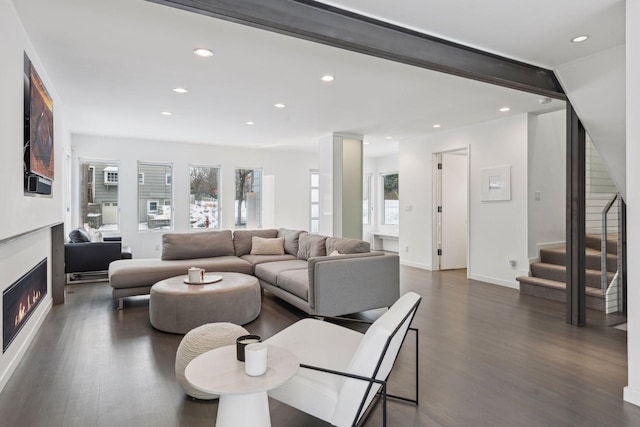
x,y
198,341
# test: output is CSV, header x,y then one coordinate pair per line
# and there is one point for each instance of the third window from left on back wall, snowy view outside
x,y
204,199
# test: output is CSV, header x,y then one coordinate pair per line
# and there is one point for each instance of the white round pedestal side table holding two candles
x,y
243,399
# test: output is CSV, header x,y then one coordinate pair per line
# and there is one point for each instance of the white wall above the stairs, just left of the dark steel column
x,y
547,172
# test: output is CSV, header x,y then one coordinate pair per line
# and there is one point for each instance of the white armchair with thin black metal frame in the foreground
x,y
342,370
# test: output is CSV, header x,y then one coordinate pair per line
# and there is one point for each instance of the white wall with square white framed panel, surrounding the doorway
x,y
497,230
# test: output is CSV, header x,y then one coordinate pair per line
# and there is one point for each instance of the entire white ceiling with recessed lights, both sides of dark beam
x,y
114,63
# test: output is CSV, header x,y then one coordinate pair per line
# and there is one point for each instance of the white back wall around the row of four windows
x,y
291,192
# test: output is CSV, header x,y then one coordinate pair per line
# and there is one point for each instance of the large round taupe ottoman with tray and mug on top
x,y
177,307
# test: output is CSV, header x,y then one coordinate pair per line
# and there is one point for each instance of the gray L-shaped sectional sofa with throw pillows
x,y
323,276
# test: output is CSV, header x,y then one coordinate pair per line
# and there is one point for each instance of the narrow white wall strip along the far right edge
x,y
632,391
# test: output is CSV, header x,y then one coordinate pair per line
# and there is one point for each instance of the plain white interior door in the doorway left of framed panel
x,y
454,211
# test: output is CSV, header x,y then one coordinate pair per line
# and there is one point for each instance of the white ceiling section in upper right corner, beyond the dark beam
x,y
534,31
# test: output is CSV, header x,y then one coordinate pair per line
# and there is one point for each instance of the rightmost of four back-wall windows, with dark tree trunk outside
x,y
248,198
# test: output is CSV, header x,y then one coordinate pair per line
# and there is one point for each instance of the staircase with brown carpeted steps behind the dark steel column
x,y
547,278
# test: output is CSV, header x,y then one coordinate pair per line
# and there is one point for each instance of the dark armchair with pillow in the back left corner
x,y
82,255
